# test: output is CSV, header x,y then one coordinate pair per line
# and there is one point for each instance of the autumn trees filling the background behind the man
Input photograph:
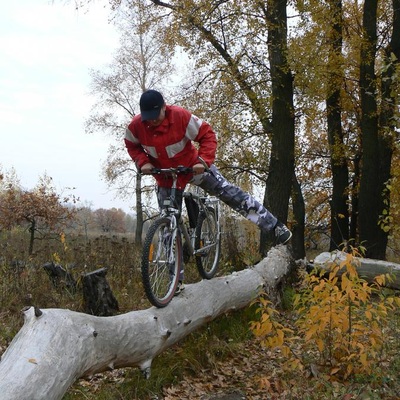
x,y
304,98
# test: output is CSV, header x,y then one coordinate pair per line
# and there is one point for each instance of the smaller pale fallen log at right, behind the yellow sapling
x,y
367,268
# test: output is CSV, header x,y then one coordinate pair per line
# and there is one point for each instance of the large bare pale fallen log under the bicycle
x,y
55,347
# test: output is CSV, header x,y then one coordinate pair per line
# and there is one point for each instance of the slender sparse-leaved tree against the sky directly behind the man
x,y
141,62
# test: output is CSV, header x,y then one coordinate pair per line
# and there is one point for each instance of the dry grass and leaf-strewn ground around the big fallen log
x,y
221,357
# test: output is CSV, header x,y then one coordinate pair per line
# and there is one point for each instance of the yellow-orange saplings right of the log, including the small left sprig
x,y
339,323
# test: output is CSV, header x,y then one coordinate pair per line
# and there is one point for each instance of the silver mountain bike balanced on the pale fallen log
x,y
163,255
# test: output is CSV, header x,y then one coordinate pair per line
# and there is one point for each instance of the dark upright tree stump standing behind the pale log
x,y
98,298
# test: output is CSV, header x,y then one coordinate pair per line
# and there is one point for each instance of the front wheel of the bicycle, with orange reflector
x,y
161,262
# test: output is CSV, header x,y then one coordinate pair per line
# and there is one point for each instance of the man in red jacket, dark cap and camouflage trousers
x,y
162,136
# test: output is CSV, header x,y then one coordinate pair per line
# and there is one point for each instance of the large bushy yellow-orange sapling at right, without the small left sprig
x,y
341,320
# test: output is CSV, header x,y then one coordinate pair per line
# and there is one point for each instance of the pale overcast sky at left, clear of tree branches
x,y
46,53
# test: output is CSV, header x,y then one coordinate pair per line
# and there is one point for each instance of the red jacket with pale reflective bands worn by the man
x,y
171,143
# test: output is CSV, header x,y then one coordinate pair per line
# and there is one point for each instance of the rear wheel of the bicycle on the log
x,y
207,236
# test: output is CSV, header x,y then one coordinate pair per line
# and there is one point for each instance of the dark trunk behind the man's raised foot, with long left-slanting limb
x,y
281,130
